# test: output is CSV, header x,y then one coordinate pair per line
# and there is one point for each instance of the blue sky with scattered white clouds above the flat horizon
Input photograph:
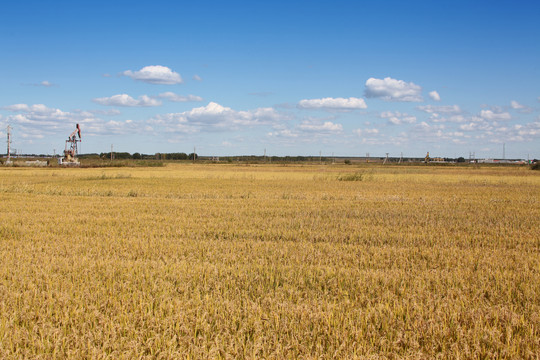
x,y
239,77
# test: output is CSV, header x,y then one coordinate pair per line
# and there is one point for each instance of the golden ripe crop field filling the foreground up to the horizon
x,y
265,261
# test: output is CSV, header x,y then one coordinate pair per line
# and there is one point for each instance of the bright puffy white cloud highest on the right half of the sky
x,y
393,90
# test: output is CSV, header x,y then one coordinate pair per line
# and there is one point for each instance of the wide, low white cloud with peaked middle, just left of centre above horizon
x,y
215,117
